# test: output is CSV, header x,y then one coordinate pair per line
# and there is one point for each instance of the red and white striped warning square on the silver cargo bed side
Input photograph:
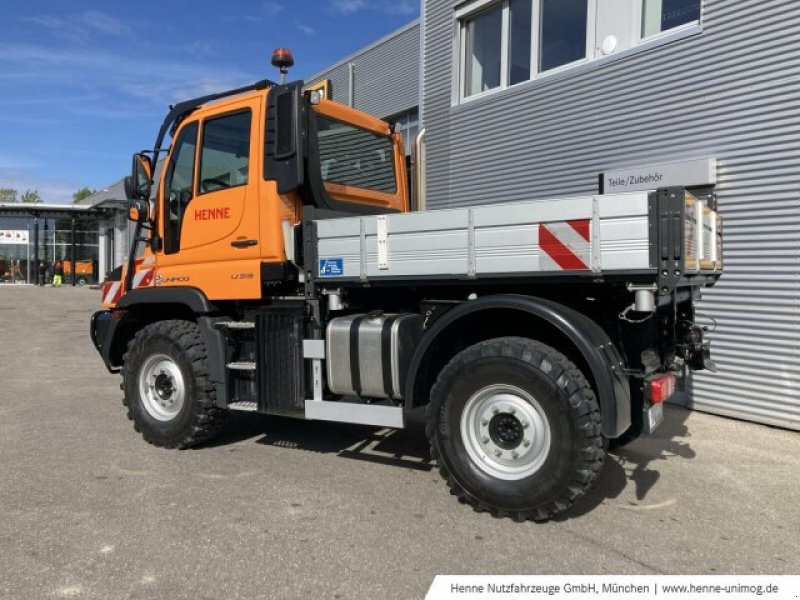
x,y
565,245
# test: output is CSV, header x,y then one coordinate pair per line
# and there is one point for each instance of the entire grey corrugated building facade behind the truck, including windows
x,y
525,99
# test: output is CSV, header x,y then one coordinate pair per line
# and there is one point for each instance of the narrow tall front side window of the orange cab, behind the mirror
x,y
178,187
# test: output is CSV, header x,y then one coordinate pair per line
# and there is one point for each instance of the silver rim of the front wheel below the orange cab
x,y
161,387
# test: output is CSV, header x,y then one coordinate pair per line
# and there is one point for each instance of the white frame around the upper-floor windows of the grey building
x,y
467,11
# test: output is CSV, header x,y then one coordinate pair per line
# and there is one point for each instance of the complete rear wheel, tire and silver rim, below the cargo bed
x,y
516,429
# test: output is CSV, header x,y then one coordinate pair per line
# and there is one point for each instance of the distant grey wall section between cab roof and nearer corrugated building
x,y
386,75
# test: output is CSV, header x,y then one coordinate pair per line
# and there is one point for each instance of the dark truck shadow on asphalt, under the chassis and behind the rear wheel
x,y
633,464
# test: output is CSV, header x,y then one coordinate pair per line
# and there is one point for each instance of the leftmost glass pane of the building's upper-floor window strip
x,y
484,48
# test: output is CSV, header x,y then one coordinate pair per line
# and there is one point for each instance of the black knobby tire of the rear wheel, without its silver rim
x,y
577,449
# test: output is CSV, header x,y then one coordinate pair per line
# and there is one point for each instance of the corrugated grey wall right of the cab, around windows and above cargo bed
x,y
731,92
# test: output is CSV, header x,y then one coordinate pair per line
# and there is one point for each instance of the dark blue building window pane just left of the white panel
x,y
563,33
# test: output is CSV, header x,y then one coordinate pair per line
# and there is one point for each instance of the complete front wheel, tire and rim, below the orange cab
x,y
169,395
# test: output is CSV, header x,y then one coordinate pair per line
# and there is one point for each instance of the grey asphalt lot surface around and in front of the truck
x,y
285,509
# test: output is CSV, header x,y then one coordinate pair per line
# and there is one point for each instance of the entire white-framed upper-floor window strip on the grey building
x,y
507,42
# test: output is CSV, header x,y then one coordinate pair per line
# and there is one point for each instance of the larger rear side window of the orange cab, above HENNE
x,y
225,153
